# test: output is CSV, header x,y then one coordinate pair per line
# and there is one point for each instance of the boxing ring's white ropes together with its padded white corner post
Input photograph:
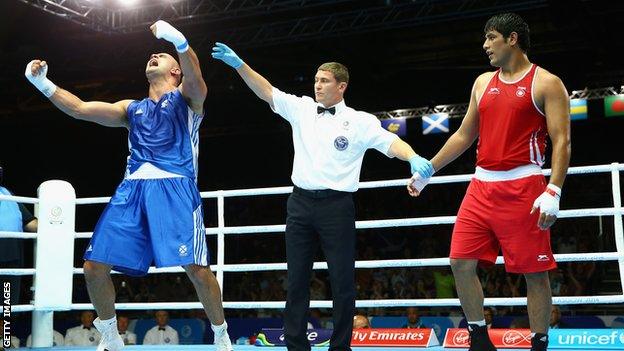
x,y
53,275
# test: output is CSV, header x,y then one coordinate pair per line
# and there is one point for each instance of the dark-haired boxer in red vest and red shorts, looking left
x,y
508,205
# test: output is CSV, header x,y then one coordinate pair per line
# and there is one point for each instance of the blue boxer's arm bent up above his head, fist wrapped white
x,y
193,86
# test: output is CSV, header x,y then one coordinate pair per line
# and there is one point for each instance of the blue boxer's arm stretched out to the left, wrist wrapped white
x,y
106,114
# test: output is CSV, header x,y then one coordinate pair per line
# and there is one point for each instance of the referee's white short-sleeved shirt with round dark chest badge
x,y
329,149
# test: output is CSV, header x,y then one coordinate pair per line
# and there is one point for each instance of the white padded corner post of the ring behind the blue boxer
x,y
54,257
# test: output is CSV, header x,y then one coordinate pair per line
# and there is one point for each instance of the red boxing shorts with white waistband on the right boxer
x,y
495,215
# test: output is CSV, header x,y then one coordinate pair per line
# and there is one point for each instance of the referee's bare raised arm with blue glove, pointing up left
x,y
257,83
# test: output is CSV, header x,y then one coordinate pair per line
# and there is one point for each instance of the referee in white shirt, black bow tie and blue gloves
x,y
330,140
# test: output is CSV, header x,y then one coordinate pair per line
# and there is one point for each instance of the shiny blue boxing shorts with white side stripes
x,y
151,219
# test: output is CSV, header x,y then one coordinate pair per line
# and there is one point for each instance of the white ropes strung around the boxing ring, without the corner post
x,y
221,230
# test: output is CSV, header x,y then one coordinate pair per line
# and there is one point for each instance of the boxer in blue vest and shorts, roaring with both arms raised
x,y
156,213
